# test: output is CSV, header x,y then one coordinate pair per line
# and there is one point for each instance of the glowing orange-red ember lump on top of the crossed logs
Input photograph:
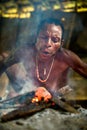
x,y
41,93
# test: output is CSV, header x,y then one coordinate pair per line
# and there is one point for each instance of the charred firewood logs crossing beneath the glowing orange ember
x,y
34,106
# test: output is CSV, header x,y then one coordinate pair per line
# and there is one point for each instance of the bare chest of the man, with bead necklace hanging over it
x,y
48,75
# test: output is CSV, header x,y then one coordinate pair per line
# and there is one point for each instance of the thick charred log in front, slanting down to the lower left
x,y
27,110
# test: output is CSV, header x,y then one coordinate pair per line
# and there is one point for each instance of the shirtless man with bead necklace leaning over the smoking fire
x,y
44,66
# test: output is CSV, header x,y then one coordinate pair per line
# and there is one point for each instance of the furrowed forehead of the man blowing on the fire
x,y
51,28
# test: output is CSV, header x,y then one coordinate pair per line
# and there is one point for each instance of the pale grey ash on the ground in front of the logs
x,y
49,119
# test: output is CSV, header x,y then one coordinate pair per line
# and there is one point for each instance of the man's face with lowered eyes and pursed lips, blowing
x,y
49,40
